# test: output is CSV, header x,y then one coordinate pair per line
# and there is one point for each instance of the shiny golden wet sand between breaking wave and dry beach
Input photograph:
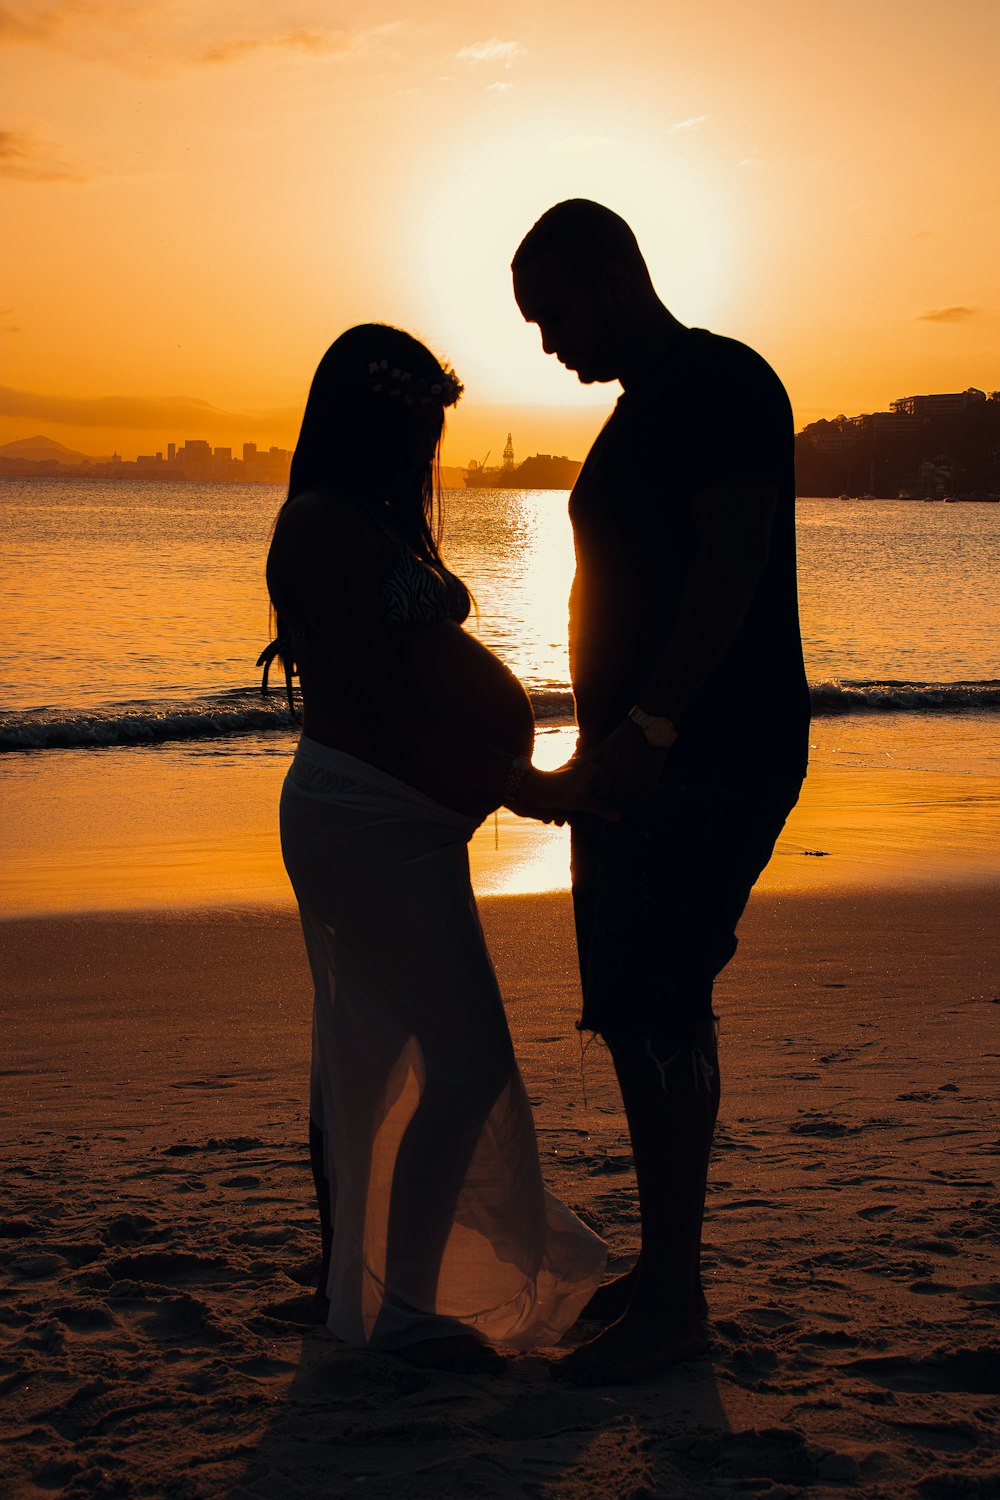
x,y
155,832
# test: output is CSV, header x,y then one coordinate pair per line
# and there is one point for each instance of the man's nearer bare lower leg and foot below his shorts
x,y
671,1100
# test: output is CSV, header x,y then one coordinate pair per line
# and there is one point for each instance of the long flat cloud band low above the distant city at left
x,y
136,412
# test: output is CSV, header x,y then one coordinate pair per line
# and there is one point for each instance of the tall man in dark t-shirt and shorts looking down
x,y
692,697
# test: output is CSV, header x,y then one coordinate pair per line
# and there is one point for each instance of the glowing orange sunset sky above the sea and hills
x,y
197,199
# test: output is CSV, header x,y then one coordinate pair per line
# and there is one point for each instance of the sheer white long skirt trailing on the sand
x,y
442,1222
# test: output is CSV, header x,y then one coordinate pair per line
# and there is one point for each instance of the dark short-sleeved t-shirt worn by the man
x,y
710,413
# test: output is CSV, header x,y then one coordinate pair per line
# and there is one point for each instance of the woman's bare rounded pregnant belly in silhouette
x,y
470,688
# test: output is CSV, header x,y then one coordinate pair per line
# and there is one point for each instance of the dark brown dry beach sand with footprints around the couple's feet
x,y
158,1211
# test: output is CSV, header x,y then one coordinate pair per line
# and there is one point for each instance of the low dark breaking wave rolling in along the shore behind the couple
x,y
242,713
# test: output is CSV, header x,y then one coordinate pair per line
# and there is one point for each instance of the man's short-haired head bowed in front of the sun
x,y
581,277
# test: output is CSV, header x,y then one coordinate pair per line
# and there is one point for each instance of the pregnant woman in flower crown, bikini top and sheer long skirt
x,y
439,1235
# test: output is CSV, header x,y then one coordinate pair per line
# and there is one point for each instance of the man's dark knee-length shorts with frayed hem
x,y
657,899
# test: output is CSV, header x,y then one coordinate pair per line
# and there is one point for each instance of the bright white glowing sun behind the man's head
x,y
469,227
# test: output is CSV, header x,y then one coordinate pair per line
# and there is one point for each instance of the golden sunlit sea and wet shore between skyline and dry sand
x,y
133,727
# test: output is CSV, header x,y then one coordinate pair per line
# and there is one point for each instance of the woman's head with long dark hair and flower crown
x,y
374,419
